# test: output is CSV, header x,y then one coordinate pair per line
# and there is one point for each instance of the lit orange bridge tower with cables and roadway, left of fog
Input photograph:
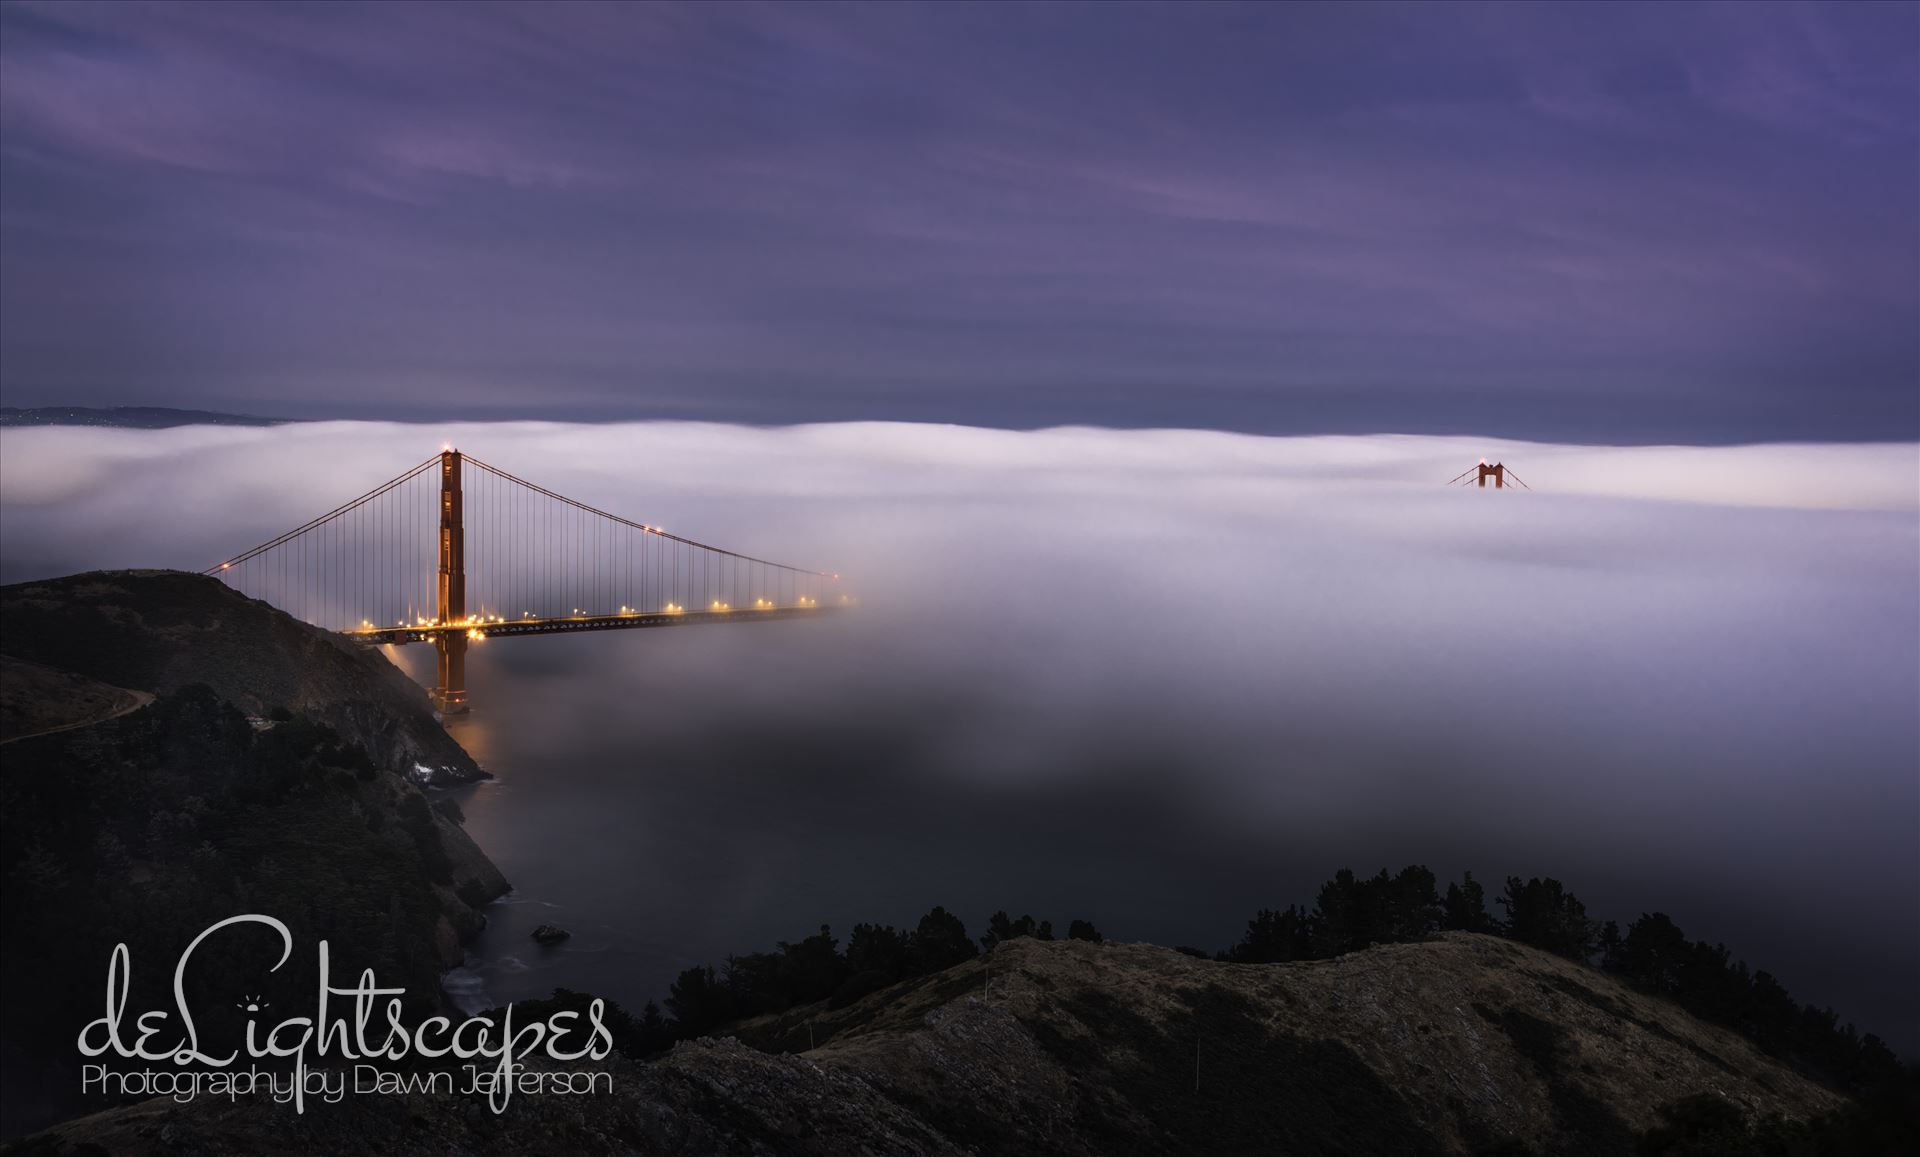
x,y
454,557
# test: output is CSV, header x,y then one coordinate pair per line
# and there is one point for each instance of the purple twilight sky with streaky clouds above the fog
x,y
1612,224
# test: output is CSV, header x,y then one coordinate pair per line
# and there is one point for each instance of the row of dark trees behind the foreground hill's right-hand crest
x,y
1652,955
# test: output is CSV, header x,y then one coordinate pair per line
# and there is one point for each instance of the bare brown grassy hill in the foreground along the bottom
x,y
1452,1047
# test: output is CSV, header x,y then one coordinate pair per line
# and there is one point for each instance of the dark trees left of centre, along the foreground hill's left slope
x,y
817,970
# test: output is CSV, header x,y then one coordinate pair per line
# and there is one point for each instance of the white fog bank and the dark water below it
x,y
1163,678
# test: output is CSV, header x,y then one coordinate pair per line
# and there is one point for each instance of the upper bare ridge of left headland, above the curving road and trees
x,y
160,630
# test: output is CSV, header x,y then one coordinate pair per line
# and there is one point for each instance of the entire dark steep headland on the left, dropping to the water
x,y
141,818
